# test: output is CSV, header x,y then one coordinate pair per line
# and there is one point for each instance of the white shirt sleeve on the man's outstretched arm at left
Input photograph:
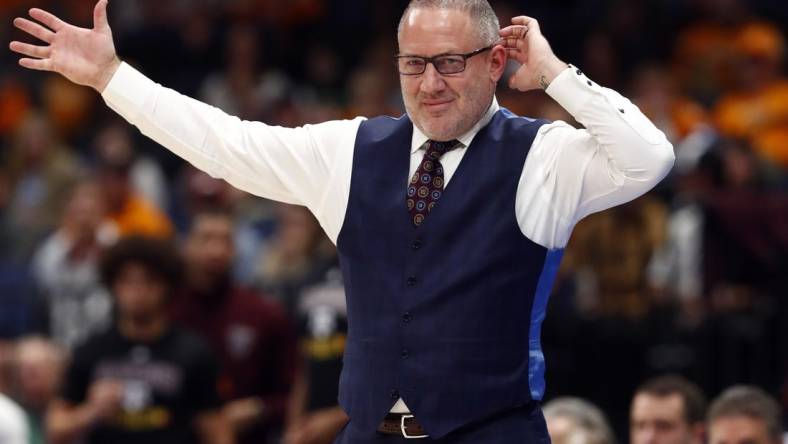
x,y
308,166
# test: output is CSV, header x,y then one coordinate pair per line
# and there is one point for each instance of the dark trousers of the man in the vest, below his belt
x,y
524,425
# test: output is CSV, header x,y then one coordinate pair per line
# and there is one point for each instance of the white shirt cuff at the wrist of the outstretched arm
x,y
127,91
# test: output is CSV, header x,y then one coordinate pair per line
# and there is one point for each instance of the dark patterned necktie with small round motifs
x,y
426,186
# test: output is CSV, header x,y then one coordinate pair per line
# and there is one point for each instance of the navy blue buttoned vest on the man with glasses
x,y
446,315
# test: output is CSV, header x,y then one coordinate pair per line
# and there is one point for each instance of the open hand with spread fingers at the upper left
x,y
84,56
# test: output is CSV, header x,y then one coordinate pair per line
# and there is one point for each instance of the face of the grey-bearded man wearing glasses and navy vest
x,y
445,107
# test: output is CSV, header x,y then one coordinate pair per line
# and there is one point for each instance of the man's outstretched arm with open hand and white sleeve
x,y
307,166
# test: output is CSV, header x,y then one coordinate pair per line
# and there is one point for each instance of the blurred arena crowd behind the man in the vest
x,y
142,300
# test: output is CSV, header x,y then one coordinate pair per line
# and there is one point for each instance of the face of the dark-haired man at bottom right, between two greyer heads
x,y
660,420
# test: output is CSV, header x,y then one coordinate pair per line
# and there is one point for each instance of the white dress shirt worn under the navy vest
x,y
568,174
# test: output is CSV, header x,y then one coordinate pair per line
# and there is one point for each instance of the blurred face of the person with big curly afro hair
x,y
140,296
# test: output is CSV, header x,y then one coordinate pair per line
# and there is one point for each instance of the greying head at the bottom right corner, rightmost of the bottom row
x,y
744,415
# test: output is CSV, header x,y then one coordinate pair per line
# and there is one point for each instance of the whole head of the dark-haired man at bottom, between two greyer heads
x,y
667,410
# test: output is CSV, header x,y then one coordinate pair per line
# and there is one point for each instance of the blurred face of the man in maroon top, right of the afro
x,y
209,247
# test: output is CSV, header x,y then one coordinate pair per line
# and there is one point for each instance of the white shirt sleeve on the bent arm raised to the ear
x,y
570,173
